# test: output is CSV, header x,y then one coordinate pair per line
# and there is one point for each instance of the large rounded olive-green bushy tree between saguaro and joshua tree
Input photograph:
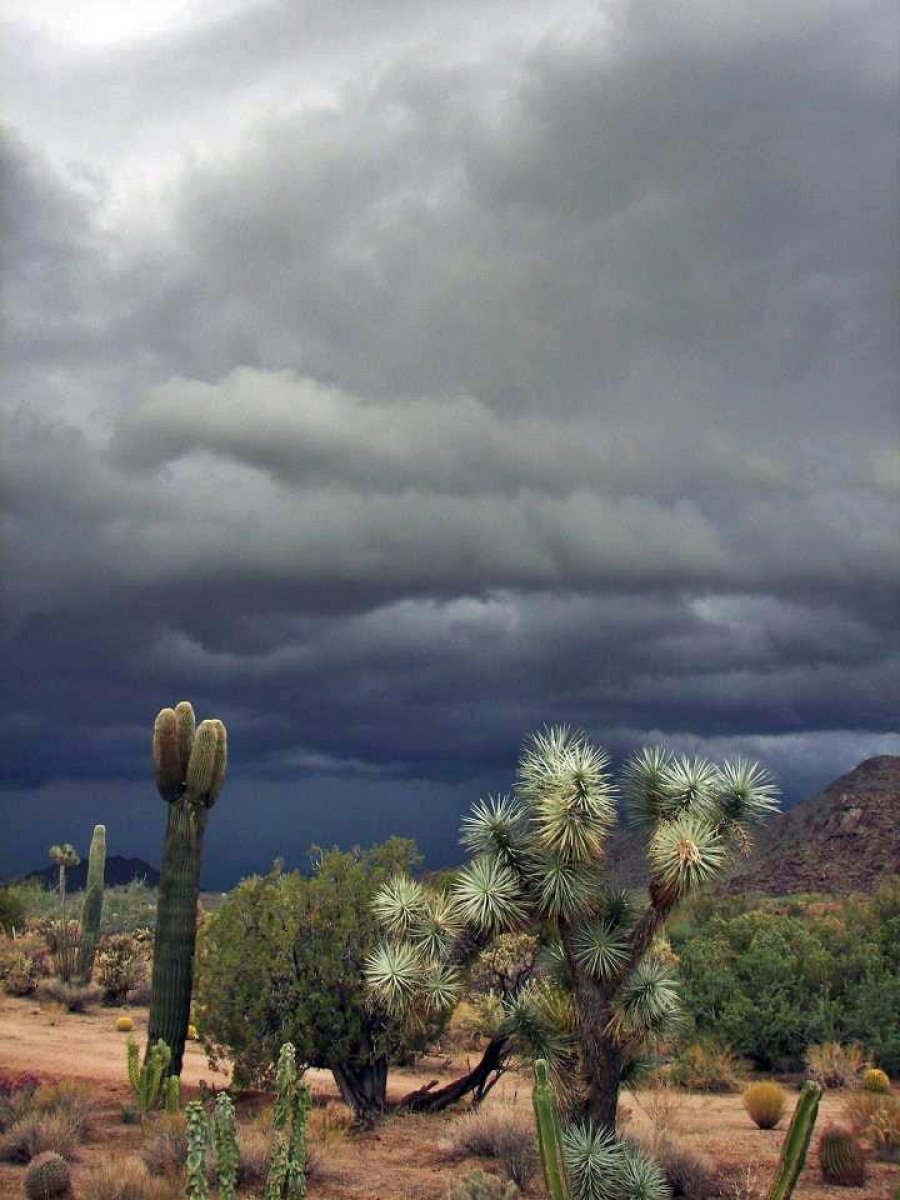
x,y
274,957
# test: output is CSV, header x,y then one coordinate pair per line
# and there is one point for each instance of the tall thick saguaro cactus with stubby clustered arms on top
x,y
190,765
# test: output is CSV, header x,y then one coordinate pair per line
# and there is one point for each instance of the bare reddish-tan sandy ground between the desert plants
x,y
405,1157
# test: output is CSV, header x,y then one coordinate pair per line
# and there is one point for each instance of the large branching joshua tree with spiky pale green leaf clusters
x,y
538,865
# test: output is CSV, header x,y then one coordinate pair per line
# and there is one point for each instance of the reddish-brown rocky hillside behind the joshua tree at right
x,y
844,839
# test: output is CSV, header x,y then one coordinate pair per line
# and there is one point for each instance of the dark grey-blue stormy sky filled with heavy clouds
x,y
393,379
